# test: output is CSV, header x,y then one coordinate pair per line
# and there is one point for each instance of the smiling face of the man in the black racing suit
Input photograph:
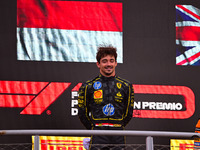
x,y
107,65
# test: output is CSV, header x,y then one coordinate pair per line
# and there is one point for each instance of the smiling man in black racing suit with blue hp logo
x,y
106,102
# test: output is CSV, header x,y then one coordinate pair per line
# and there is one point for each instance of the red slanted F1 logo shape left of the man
x,y
34,97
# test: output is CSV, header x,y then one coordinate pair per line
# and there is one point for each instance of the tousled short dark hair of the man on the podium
x,y
103,51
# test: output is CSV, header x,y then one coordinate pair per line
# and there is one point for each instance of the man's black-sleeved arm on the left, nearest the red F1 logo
x,y
83,112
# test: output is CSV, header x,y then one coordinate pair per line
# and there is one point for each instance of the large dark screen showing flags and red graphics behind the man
x,y
48,48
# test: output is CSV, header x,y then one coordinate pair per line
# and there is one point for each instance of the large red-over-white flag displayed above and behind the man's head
x,y
51,30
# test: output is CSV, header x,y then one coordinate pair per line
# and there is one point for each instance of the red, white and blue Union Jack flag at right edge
x,y
187,35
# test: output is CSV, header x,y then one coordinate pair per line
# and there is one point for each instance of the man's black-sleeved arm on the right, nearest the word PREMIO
x,y
128,114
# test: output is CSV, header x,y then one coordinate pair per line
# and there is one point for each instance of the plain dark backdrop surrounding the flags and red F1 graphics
x,y
149,57
